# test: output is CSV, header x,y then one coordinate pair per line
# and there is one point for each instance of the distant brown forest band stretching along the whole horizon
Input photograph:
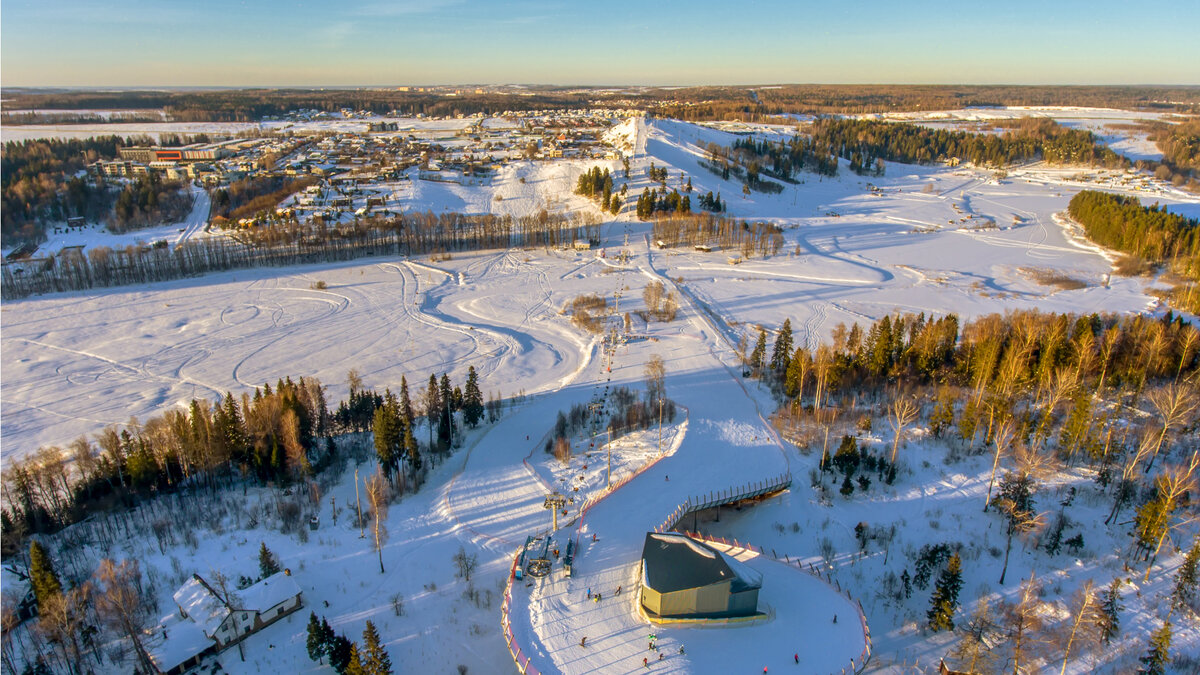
x,y
747,104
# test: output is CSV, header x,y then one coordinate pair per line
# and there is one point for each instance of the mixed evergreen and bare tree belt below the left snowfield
x,y
280,435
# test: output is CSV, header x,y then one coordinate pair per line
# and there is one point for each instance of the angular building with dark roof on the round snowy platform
x,y
683,578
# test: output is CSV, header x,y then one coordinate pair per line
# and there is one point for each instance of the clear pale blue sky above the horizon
x,y
353,43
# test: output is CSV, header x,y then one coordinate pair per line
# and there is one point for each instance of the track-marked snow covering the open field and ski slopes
x,y
931,240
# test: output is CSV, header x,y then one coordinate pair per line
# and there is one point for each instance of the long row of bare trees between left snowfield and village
x,y
292,243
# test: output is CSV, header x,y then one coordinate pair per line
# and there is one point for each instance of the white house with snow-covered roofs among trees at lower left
x,y
209,622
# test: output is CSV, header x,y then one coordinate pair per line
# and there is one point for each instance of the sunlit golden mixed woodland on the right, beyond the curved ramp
x,y
1033,393
